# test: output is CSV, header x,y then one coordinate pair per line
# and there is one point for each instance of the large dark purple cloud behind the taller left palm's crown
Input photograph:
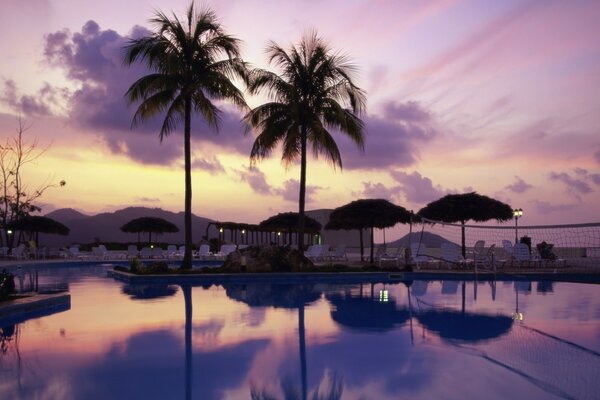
x,y
93,58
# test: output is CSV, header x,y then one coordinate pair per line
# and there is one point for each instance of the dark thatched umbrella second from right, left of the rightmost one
x,y
367,213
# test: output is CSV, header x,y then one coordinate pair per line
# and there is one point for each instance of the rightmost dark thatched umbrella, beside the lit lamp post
x,y
461,208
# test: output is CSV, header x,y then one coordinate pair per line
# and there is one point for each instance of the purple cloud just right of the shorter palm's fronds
x,y
391,140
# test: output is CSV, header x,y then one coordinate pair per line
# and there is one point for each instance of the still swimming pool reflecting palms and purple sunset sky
x,y
420,339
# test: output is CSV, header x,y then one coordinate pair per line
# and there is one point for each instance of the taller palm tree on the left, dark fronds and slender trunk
x,y
193,63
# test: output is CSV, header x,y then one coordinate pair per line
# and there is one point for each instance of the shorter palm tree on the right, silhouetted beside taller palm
x,y
313,95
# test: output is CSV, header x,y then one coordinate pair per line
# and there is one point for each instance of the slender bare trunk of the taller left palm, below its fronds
x,y
187,257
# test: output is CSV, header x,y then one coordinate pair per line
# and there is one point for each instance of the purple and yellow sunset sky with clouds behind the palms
x,y
494,97
